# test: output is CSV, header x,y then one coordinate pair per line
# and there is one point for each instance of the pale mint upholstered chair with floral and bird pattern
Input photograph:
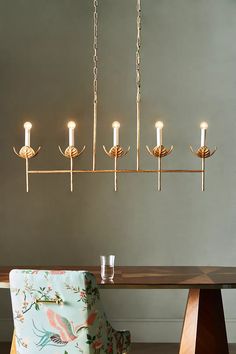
x,y
60,312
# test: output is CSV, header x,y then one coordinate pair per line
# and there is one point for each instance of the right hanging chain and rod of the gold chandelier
x,y
138,80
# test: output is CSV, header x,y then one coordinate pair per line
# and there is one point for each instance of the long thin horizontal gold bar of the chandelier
x,y
112,171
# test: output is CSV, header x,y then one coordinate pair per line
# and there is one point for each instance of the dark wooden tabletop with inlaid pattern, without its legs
x,y
150,277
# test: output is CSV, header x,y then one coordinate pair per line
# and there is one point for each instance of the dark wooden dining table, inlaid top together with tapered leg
x,y
204,329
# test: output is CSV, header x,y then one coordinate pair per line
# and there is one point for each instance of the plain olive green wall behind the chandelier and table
x,y
188,74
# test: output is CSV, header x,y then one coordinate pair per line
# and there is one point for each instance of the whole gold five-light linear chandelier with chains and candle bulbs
x,y
116,151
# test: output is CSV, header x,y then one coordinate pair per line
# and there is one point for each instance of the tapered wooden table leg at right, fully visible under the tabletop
x,y
204,329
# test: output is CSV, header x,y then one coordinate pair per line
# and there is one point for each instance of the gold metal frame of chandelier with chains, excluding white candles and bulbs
x,y
115,152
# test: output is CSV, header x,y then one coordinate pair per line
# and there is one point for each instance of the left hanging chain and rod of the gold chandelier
x,y
95,80
